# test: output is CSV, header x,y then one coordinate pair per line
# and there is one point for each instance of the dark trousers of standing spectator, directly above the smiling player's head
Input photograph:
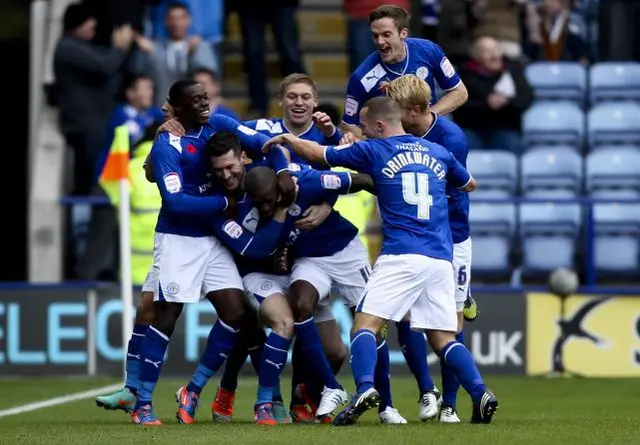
x,y
254,16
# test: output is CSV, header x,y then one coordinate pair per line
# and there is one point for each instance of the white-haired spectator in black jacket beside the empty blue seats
x,y
498,96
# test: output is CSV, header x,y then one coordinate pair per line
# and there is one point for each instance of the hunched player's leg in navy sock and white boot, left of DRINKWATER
x,y
308,284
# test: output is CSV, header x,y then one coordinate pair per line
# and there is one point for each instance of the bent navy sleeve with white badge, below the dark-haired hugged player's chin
x,y
259,245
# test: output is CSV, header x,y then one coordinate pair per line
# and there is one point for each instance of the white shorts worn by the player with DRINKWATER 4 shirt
x,y
418,284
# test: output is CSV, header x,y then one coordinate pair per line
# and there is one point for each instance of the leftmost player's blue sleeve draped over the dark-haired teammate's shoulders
x,y
251,141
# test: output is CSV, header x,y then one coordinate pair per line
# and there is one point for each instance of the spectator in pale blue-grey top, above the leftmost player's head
x,y
172,58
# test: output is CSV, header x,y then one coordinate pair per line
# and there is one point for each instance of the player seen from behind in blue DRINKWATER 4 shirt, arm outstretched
x,y
413,272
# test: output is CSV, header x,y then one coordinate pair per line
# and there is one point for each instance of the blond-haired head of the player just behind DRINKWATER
x,y
413,95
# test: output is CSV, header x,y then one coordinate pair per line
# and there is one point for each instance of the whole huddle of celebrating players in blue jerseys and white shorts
x,y
247,223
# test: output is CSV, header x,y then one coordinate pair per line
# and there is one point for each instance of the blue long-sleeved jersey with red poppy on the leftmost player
x,y
181,170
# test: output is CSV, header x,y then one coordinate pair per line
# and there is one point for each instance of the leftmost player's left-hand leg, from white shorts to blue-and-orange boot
x,y
181,263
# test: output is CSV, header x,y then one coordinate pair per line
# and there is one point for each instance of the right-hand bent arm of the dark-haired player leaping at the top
x,y
456,93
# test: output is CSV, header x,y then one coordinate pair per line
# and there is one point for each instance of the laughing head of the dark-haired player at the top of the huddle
x,y
389,26
